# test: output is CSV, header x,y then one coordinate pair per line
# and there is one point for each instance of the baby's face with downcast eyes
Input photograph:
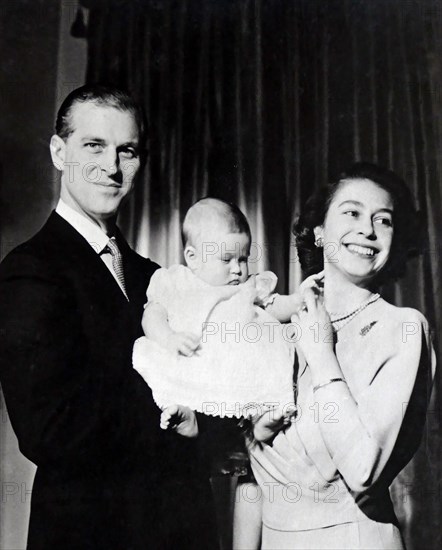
x,y
222,259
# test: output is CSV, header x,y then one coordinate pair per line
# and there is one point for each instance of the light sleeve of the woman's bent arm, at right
x,y
379,434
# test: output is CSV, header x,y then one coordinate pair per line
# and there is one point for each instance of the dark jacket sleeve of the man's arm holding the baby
x,y
63,408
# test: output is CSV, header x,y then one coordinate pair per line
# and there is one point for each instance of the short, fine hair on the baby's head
x,y
210,212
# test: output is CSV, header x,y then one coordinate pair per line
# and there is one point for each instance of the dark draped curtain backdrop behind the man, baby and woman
x,y
261,101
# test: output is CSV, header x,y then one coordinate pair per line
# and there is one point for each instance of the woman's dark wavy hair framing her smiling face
x,y
407,222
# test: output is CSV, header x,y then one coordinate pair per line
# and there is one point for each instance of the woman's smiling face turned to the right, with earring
x,y
358,230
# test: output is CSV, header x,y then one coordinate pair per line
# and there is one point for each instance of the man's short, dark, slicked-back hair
x,y
100,95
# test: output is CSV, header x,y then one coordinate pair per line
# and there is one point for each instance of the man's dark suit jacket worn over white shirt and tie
x,y
80,412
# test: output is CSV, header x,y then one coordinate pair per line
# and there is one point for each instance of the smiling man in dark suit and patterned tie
x,y
71,304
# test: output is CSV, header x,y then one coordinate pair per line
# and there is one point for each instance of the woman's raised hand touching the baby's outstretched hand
x,y
315,329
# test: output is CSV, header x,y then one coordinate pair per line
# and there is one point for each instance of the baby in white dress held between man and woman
x,y
213,338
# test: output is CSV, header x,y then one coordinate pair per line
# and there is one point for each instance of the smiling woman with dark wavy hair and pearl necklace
x,y
364,374
